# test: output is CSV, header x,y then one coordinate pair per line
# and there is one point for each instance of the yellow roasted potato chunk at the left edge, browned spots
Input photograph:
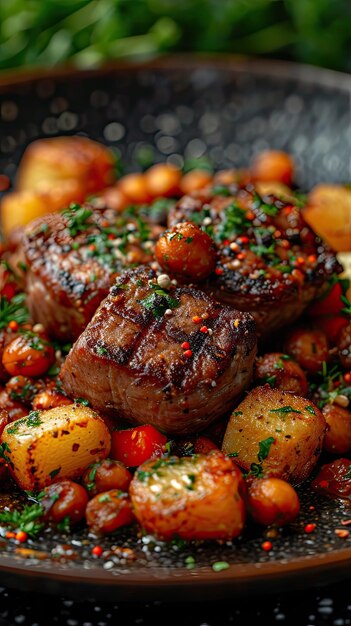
x,y
59,443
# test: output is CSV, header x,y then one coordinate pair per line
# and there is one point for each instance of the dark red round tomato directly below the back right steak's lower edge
x,y
308,347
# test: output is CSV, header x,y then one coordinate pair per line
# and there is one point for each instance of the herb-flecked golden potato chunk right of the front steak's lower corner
x,y
296,425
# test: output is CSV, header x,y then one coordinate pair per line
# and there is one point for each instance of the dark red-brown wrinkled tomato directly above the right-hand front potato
x,y
284,373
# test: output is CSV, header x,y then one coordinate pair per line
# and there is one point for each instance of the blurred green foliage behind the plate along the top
x,y
89,32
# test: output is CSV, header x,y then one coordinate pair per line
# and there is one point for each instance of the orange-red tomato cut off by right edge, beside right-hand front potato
x,y
337,438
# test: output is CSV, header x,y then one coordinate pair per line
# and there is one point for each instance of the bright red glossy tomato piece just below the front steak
x,y
134,446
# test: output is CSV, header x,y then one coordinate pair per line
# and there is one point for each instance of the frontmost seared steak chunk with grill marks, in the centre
x,y
176,359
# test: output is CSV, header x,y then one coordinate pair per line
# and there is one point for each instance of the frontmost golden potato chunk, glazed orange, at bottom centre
x,y
190,497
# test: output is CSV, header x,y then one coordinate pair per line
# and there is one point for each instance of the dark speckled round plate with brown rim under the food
x,y
180,108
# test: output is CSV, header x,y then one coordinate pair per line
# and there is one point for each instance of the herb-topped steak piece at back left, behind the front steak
x,y
73,258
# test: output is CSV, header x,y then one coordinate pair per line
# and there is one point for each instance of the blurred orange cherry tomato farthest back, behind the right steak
x,y
273,165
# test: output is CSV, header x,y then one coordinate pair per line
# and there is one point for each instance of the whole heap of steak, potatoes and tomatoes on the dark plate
x,y
175,348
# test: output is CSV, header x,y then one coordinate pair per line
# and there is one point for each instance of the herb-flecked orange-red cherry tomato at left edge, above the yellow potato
x,y
29,354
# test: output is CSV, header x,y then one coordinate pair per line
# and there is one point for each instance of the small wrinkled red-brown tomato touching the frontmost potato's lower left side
x,y
108,511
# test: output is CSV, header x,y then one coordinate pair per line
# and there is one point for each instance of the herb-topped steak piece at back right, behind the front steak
x,y
270,262
